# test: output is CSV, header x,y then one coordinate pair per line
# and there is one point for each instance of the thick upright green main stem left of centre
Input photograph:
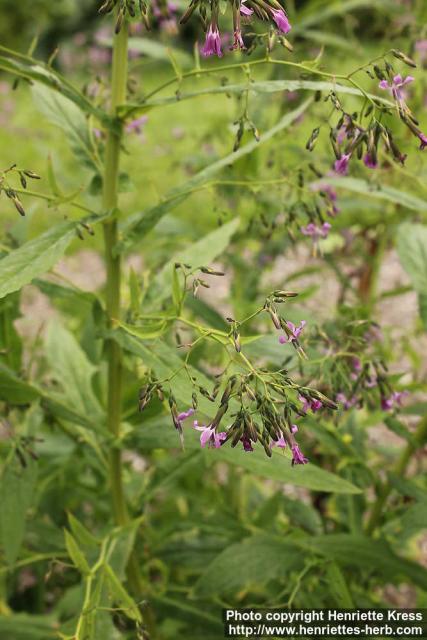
x,y
113,350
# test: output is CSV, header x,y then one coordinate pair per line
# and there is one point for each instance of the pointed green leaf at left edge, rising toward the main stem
x,y
34,258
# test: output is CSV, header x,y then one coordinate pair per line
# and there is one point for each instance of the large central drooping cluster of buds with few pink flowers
x,y
257,407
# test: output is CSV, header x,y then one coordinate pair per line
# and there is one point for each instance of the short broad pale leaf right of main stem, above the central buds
x,y
200,253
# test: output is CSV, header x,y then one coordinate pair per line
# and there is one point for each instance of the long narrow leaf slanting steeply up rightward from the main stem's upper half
x,y
139,224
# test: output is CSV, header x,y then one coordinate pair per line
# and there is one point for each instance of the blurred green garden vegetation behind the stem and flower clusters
x,y
212,528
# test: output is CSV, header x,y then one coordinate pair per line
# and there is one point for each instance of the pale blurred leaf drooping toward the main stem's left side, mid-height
x,y
73,372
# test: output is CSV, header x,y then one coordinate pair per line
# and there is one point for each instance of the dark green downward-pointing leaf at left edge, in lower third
x,y
16,492
